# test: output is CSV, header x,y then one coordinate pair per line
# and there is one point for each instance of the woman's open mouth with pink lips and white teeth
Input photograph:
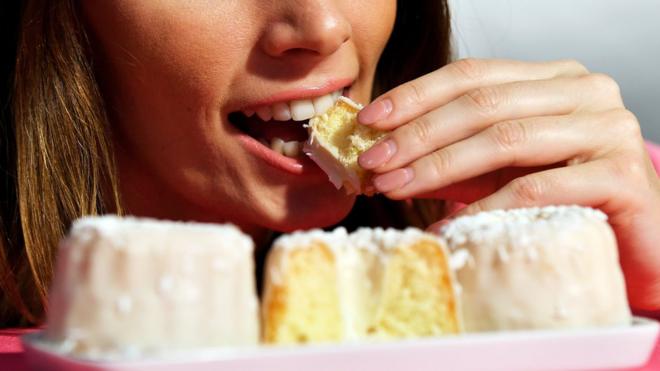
x,y
275,131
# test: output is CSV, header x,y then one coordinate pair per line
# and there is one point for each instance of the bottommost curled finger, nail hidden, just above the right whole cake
x,y
567,185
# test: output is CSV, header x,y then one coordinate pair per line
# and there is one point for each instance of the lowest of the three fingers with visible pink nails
x,y
519,143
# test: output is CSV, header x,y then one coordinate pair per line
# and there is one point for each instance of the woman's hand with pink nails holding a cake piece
x,y
502,134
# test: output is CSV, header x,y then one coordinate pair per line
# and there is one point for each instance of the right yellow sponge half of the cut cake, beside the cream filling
x,y
414,288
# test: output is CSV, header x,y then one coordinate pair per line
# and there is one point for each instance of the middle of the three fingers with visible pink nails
x,y
482,107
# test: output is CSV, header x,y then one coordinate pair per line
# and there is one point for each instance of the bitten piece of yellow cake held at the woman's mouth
x,y
336,139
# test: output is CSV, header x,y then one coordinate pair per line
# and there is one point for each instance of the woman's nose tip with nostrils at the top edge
x,y
306,27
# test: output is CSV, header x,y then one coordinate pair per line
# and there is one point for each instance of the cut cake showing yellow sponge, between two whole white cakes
x,y
371,284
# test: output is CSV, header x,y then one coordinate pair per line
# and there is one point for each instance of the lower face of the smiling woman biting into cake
x,y
179,78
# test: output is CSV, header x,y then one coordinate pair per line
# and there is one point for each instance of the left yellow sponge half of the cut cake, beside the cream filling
x,y
300,302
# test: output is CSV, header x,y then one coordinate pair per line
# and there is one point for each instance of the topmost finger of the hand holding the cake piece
x,y
437,88
